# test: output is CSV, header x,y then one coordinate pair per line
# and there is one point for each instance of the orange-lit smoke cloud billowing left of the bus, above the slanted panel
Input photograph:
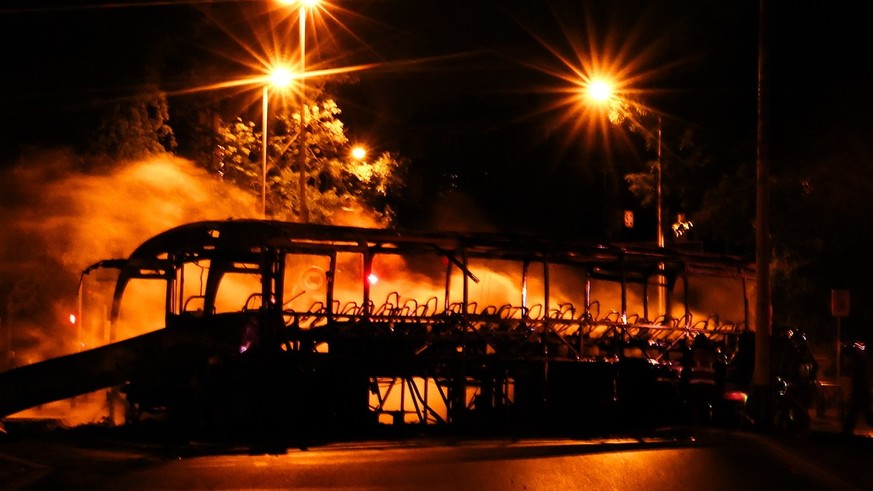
x,y
59,216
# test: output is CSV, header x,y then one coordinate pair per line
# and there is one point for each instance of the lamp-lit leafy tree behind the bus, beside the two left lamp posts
x,y
334,180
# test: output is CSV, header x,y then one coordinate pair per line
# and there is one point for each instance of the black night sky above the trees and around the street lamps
x,y
474,93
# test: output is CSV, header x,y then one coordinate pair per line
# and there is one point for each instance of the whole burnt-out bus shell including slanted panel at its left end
x,y
266,325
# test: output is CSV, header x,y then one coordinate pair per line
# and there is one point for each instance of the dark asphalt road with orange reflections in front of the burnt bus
x,y
710,459
